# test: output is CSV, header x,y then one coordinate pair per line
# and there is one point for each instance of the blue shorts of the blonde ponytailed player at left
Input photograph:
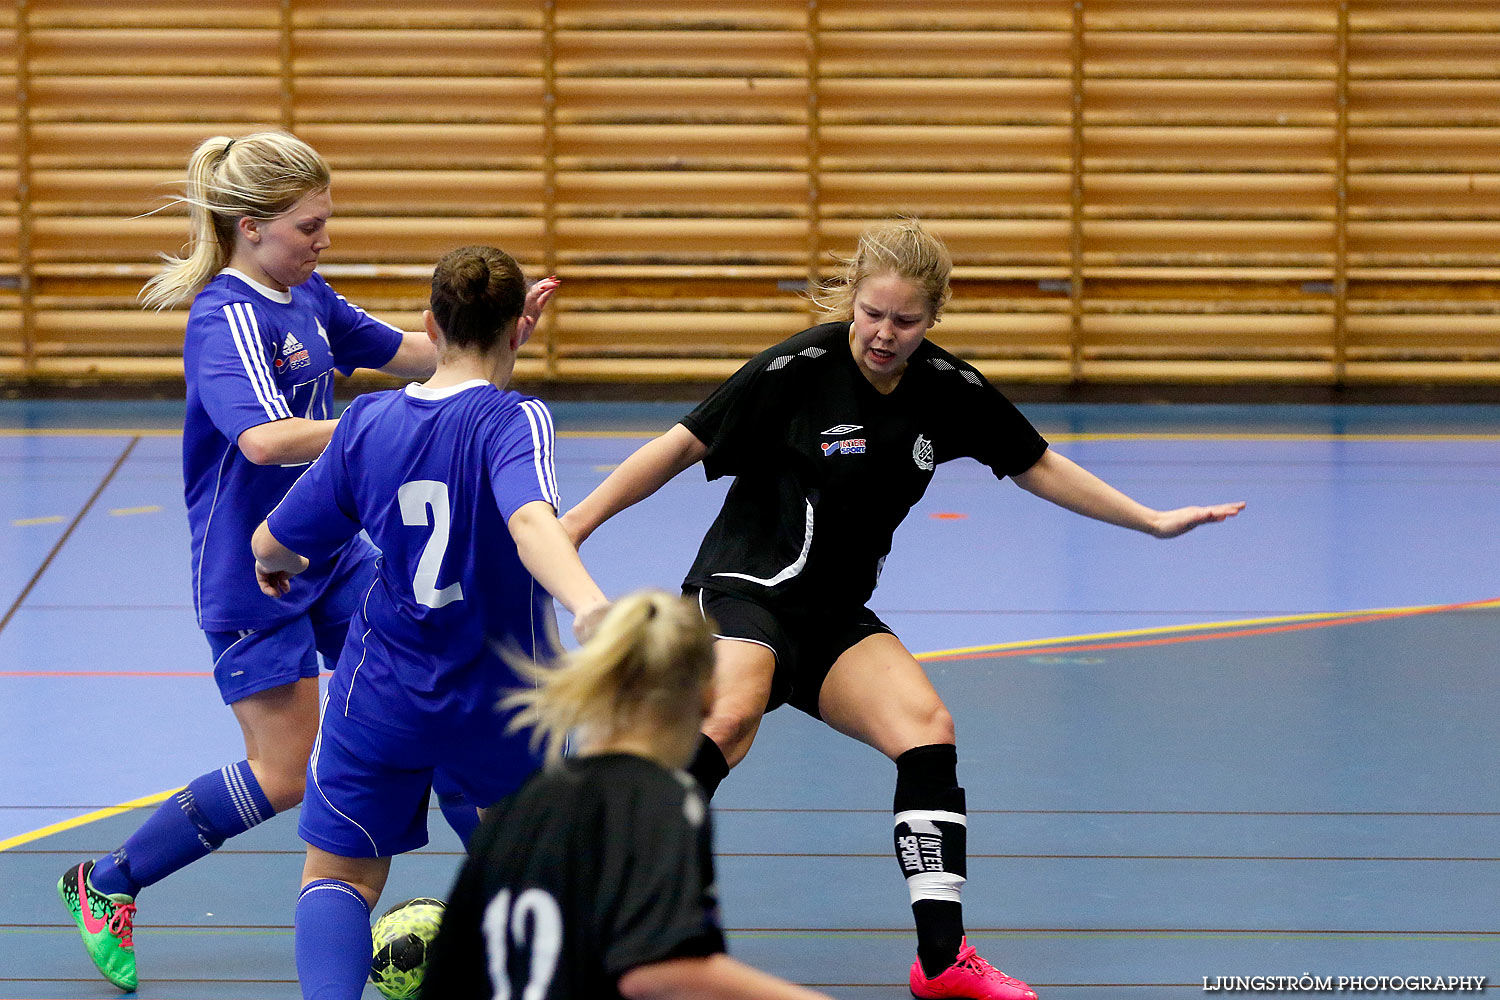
x,y
254,660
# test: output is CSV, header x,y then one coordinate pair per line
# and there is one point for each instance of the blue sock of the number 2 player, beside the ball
x,y
334,941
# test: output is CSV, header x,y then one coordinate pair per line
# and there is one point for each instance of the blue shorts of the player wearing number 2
x,y
368,788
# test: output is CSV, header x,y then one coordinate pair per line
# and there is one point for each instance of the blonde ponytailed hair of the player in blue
x,y
259,176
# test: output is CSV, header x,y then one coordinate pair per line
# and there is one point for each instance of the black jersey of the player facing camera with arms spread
x,y
827,467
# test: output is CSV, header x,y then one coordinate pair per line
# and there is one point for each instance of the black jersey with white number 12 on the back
x,y
589,872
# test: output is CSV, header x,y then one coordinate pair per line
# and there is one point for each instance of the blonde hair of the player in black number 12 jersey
x,y
650,660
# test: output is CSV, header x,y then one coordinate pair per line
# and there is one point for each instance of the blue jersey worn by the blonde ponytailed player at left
x,y
254,355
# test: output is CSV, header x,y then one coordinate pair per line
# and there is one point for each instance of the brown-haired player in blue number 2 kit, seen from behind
x,y
454,481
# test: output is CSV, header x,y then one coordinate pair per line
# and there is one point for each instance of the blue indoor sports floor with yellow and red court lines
x,y
1265,749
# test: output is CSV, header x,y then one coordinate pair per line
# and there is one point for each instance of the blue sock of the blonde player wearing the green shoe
x,y
187,827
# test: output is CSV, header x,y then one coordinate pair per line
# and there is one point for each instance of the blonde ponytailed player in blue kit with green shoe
x,y
265,337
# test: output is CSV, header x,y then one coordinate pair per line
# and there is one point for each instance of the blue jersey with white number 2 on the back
x,y
434,476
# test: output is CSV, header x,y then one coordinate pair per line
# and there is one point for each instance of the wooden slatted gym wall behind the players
x,y
1133,190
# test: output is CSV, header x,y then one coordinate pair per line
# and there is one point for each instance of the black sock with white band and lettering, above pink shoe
x,y
931,834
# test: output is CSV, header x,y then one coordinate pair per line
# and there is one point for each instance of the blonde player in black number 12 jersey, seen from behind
x,y
596,879
